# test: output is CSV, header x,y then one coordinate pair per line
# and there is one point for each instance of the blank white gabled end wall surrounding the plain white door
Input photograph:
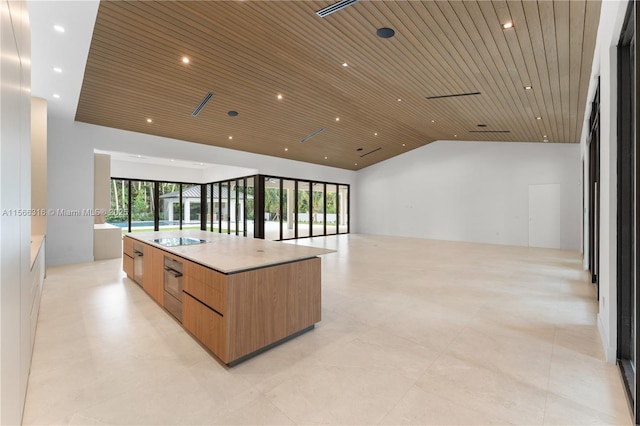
x,y
468,191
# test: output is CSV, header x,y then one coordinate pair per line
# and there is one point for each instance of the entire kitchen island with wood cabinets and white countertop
x,y
237,296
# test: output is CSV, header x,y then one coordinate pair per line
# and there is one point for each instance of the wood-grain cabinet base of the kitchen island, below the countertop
x,y
237,314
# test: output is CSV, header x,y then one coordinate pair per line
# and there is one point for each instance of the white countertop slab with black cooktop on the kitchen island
x,y
230,253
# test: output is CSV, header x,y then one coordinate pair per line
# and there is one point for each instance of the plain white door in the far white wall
x,y
544,215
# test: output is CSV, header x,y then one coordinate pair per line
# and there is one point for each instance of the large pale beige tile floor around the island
x,y
413,332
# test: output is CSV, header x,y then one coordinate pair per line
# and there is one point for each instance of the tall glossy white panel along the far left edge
x,y
15,200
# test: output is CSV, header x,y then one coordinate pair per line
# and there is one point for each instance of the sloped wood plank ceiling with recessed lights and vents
x,y
248,52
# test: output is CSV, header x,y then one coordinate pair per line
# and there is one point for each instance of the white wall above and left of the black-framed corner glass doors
x,y
70,176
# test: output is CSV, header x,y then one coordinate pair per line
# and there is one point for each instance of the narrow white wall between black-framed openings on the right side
x,y
605,67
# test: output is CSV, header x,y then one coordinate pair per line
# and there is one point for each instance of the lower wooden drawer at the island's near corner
x,y
206,325
